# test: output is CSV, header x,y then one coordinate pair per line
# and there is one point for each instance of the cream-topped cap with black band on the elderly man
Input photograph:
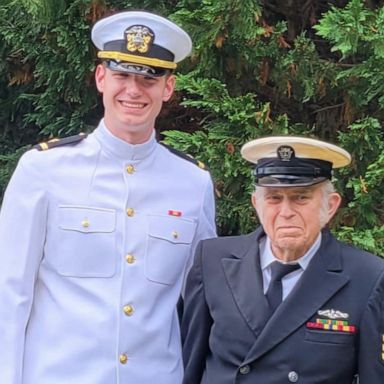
x,y
290,161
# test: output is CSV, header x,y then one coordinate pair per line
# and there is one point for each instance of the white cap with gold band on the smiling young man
x,y
140,42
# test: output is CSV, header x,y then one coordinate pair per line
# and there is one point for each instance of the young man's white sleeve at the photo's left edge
x,y
22,233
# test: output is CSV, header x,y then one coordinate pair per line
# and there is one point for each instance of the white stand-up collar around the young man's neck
x,y
121,148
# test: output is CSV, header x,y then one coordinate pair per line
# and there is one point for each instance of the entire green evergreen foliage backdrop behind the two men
x,y
258,68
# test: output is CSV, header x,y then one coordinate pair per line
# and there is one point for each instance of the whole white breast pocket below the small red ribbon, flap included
x,y
168,248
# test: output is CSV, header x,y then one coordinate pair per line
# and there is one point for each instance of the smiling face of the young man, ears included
x,y
132,102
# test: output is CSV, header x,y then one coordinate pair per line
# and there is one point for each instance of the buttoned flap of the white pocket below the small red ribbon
x,y
174,229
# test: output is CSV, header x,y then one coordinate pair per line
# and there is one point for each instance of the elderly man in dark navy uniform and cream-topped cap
x,y
288,302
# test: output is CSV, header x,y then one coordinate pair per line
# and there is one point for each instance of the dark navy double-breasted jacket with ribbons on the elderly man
x,y
228,340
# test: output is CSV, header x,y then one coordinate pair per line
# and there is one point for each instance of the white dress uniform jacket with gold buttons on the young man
x,y
95,241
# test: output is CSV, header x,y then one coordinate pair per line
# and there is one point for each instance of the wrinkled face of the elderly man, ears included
x,y
293,217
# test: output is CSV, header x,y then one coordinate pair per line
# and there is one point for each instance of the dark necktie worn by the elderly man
x,y
275,289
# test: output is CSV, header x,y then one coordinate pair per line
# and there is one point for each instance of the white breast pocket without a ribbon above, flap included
x,y
85,245
